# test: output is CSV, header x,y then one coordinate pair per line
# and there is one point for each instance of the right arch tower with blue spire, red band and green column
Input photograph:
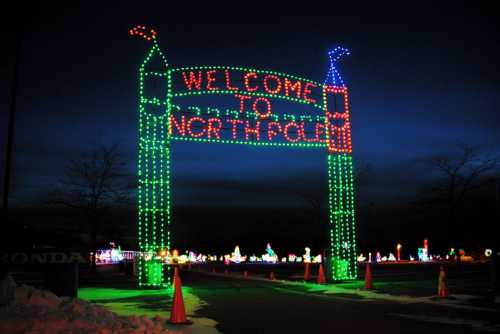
x,y
341,264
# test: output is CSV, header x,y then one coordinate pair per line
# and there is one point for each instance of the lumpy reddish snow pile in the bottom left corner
x,y
39,311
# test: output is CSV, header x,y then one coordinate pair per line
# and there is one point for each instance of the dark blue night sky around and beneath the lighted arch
x,y
422,77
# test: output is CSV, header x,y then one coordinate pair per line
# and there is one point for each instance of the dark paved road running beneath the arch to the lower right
x,y
244,306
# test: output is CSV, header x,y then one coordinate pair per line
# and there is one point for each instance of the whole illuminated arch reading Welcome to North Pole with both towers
x,y
317,116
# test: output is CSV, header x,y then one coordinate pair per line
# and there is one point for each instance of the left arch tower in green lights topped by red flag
x,y
153,195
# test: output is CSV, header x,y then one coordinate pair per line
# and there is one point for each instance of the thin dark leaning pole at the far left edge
x,y
10,130
